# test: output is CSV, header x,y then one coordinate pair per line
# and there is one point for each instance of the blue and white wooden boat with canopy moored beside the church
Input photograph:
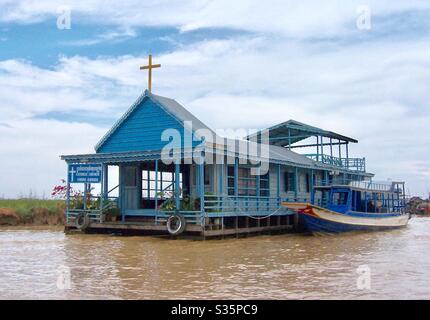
x,y
354,207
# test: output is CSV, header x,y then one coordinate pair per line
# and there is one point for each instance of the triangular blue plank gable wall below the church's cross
x,y
142,130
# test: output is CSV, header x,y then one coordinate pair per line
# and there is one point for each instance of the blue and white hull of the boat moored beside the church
x,y
316,219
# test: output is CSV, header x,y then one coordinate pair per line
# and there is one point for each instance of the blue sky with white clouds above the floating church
x,y
70,69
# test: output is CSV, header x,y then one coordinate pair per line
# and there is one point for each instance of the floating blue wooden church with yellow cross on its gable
x,y
173,179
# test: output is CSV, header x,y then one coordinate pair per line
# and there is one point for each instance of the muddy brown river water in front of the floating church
x,y
40,263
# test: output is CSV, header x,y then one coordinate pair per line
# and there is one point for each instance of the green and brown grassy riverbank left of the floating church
x,y
31,211
